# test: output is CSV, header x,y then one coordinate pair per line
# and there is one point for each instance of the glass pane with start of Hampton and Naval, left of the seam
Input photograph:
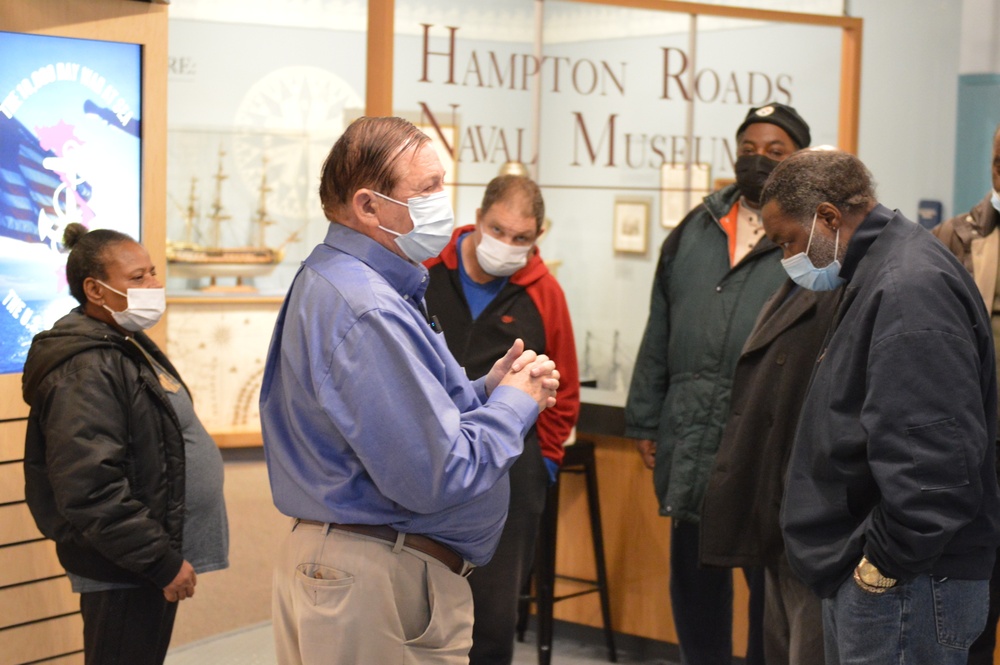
x,y
465,73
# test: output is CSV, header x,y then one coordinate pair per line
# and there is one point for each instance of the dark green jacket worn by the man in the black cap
x,y
701,312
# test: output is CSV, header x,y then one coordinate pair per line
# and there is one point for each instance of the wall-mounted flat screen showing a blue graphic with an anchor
x,y
70,151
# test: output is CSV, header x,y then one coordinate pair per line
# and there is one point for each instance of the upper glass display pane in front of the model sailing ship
x,y
254,108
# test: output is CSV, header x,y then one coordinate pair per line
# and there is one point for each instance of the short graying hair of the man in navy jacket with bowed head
x,y
810,177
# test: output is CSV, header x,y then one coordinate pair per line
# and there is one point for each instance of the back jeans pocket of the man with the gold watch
x,y
960,608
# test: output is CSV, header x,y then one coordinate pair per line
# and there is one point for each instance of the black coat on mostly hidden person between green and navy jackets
x,y
739,520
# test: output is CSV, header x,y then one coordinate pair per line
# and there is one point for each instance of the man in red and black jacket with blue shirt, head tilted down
x,y
487,288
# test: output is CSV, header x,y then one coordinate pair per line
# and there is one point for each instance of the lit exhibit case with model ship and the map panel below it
x,y
243,171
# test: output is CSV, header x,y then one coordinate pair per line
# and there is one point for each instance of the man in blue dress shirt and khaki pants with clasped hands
x,y
391,462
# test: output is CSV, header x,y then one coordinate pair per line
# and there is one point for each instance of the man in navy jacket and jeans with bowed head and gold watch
x,y
891,510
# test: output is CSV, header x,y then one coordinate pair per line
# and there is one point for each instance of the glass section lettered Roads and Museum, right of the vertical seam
x,y
646,95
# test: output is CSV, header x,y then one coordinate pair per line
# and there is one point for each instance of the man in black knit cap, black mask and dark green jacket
x,y
716,270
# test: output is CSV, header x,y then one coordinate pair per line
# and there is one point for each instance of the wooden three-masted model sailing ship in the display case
x,y
189,259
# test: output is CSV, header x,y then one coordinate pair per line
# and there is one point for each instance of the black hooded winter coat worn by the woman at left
x,y
104,453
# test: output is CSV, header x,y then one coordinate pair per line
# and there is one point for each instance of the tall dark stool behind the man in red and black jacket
x,y
579,460
